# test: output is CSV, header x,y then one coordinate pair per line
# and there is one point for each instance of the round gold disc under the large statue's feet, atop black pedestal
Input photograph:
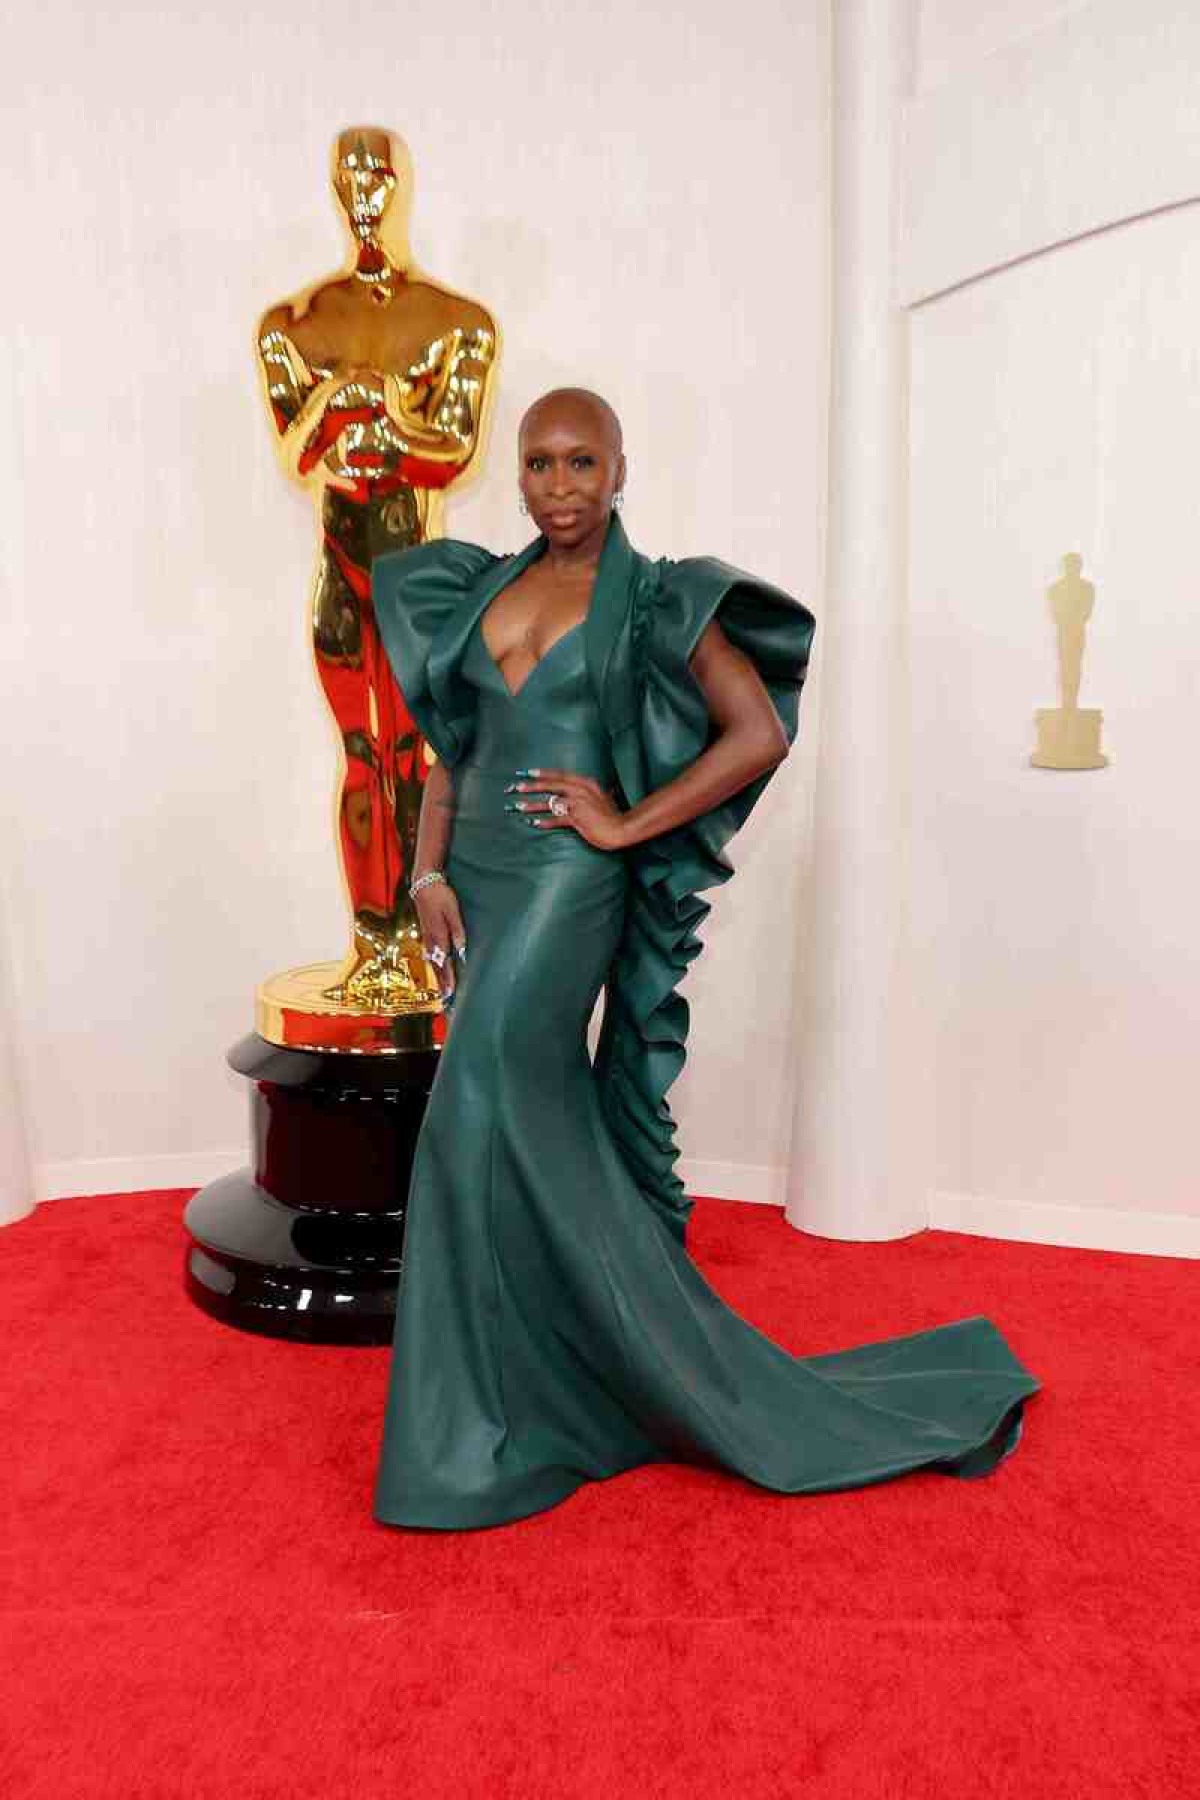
x,y
300,1011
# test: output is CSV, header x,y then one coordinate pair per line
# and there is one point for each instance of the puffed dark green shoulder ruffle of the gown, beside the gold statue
x,y
418,593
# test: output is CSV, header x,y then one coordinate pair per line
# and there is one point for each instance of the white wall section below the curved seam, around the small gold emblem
x,y
1055,411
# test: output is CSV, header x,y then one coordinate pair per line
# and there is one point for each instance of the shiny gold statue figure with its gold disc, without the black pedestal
x,y
379,386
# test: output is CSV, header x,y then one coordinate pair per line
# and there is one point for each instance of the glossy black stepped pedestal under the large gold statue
x,y
310,1245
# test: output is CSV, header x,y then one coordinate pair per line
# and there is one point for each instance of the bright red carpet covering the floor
x,y
197,1603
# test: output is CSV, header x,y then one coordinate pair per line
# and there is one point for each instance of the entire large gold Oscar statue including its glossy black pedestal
x,y
379,388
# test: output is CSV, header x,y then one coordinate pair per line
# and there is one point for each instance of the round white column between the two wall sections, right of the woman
x,y
861,1147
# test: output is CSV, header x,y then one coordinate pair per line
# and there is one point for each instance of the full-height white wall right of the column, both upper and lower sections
x,y
1053,409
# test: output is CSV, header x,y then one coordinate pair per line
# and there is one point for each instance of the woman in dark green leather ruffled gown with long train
x,y
604,726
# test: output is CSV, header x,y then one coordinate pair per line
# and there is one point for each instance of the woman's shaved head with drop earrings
x,y
571,465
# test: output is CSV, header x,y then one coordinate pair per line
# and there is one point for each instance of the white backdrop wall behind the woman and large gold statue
x,y
641,206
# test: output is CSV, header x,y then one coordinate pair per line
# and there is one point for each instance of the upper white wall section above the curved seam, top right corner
x,y
1059,132
